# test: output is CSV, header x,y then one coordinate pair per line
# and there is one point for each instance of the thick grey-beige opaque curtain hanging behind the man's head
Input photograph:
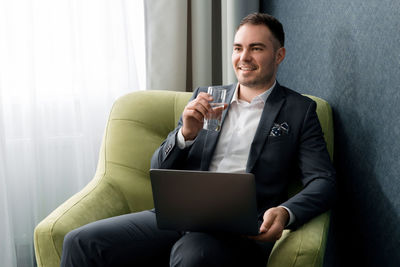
x,y
189,42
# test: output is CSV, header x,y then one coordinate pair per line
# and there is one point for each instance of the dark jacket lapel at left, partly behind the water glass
x,y
211,137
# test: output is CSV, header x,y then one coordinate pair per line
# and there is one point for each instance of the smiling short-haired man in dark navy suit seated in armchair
x,y
268,130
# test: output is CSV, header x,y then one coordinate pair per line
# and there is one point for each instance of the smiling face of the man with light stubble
x,y
255,59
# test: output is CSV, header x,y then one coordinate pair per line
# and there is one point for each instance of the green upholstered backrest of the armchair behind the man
x,y
137,125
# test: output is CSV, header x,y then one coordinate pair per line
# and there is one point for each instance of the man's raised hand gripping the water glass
x,y
193,115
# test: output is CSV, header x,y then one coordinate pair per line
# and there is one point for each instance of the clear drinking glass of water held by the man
x,y
213,120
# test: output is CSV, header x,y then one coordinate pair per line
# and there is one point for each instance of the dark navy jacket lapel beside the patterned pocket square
x,y
271,110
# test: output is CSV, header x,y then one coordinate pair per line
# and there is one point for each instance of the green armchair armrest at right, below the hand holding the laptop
x,y
302,247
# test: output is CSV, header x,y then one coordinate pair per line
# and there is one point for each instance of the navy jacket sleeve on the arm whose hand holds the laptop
x,y
317,173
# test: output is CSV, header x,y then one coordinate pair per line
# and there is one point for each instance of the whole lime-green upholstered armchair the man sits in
x,y
137,125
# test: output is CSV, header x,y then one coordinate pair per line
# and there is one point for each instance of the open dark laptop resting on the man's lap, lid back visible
x,y
200,201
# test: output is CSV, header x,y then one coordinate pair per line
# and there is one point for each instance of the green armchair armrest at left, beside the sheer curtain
x,y
98,200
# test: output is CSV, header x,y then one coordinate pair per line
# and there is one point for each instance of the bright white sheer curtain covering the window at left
x,y
62,64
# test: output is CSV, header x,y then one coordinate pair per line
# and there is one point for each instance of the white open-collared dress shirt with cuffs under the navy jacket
x,y
237,133
